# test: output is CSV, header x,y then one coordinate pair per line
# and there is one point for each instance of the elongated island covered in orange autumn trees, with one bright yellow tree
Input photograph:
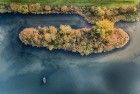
x,y
102,37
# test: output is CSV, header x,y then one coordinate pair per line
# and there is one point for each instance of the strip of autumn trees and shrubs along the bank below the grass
x,y
125,13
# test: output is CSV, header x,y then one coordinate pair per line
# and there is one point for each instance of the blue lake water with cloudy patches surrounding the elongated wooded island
x,y
23,67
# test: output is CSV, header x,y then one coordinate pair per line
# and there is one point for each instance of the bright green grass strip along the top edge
x,y
77,2
